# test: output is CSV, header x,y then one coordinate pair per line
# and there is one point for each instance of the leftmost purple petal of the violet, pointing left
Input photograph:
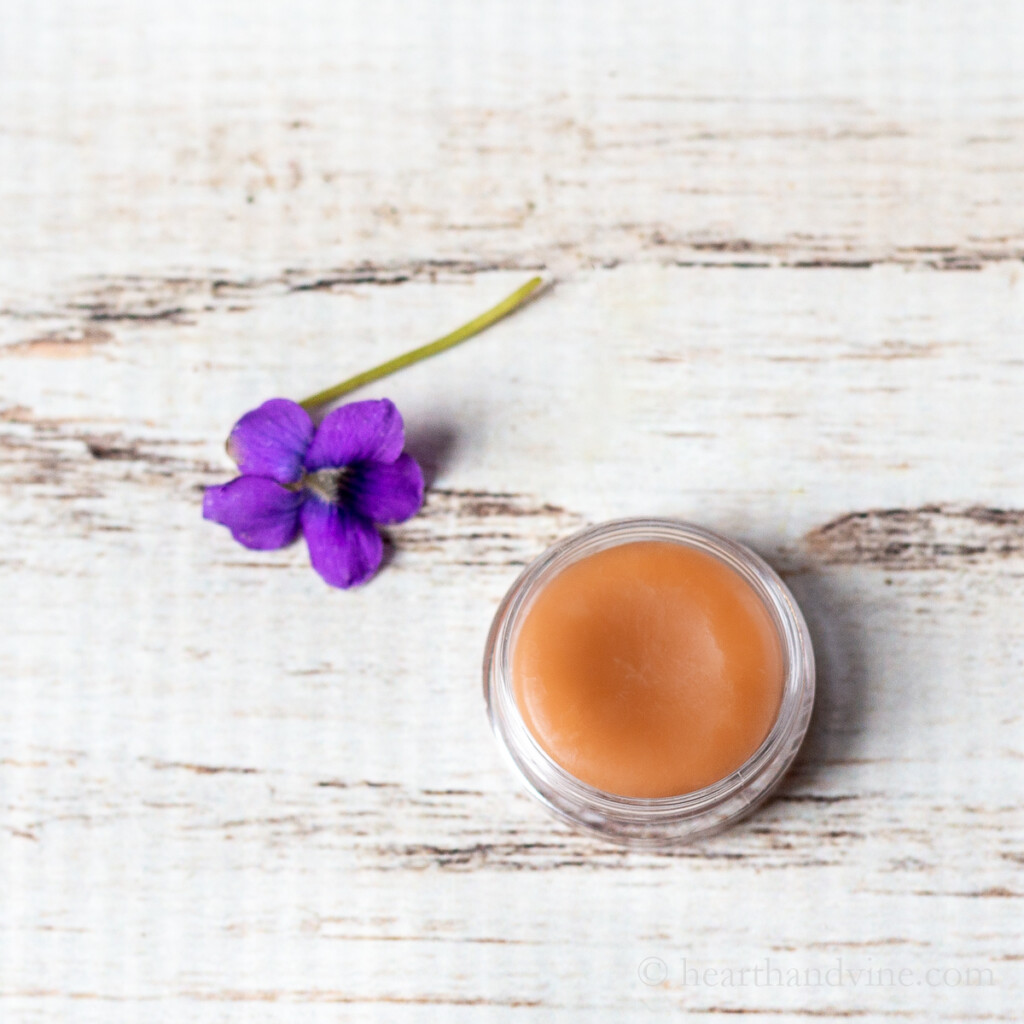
x,y
260,514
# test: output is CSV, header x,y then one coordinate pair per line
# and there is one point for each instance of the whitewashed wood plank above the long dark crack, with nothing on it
x,y
332,142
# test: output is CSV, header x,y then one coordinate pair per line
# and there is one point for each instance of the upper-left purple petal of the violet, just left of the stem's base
x,y
272,441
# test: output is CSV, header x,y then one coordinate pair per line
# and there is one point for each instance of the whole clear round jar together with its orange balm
x,y
651,680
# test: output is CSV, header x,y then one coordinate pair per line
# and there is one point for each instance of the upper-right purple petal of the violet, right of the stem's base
x,y
361,432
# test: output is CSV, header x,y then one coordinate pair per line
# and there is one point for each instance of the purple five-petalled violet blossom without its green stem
x,y
334,483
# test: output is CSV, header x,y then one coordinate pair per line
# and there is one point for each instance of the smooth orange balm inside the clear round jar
x,y
649,670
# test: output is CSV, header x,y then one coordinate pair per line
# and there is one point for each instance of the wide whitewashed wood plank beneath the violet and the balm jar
x,y
313,771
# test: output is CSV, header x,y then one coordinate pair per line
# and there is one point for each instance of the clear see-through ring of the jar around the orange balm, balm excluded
x,y
660,821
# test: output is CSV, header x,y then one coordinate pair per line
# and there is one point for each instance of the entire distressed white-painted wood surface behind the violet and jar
x,y
788,244
